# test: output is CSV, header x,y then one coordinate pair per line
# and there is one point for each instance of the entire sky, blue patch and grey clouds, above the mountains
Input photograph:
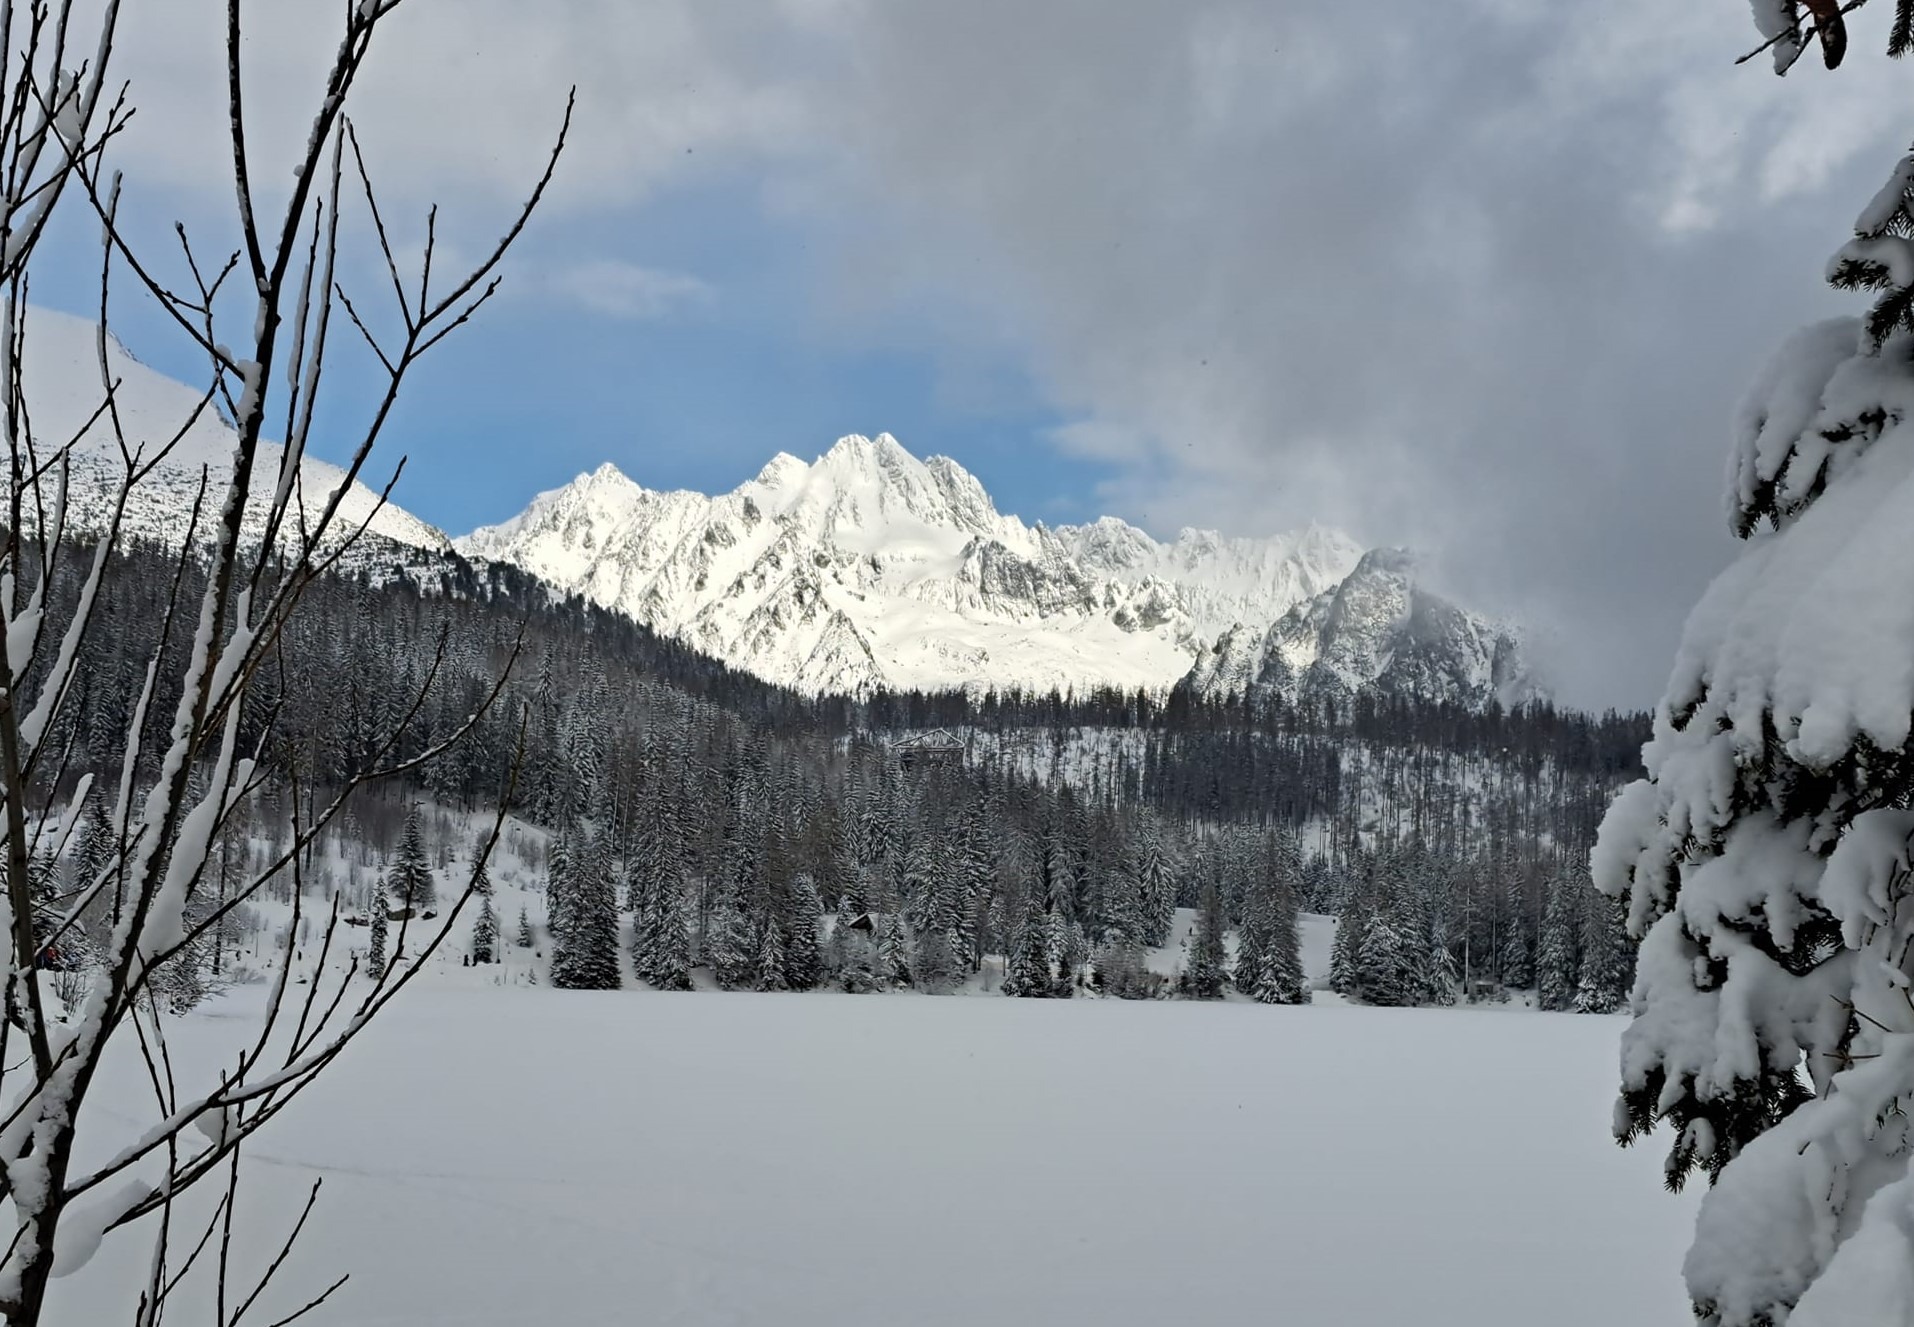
x,y
1482,279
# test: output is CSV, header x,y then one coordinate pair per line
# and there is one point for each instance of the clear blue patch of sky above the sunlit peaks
x,y
698,394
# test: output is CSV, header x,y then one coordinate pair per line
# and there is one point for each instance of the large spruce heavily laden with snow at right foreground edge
x,y
1766,857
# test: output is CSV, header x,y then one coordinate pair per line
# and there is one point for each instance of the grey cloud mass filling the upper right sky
x,y
1480,277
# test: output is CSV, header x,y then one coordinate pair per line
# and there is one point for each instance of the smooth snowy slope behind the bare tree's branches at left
x,y
62,378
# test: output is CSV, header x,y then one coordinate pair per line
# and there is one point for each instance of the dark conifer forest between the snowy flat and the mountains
x,y
707,819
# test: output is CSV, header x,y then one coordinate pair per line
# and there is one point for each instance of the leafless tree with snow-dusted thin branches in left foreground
x,y
256,541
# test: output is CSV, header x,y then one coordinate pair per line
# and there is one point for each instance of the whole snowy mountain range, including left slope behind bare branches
x,y
866,568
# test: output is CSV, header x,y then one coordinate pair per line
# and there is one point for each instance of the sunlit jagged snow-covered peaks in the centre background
x,y
874,568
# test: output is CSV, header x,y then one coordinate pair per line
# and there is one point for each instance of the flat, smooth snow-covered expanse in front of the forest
x,y
523,1156
